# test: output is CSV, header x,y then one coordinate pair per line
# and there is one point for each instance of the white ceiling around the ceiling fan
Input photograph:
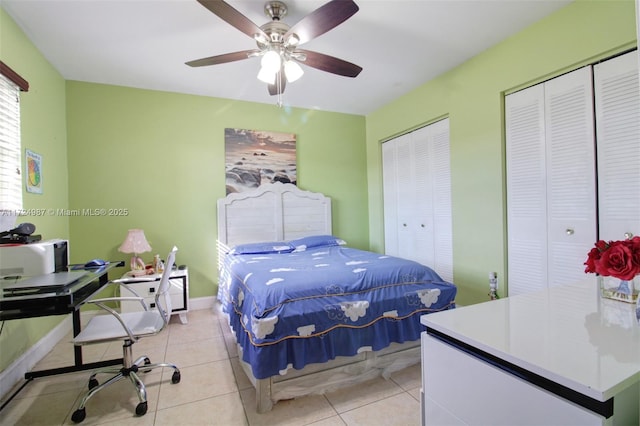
x,y
400,44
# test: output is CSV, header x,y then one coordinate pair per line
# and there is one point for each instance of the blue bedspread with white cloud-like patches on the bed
x,y
291,309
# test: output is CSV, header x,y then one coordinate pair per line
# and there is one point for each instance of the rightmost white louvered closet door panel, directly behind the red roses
x,y
618,134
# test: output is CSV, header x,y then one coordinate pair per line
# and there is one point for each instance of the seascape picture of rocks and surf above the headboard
x,y
255,157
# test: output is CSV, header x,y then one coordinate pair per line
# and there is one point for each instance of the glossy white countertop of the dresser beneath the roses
x,y
567,334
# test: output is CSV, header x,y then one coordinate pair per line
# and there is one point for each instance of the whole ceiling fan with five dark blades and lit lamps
x,y
278,43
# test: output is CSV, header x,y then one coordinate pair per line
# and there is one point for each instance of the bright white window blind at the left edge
x,y
10,170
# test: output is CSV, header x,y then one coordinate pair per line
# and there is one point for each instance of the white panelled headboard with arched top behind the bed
x,y
272,212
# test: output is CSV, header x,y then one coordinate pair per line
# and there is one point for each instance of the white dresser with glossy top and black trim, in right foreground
x,y
560,356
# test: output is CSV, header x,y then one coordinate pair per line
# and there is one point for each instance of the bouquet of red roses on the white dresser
x,y
619,259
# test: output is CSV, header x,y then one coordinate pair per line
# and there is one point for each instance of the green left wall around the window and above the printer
x,y
43,131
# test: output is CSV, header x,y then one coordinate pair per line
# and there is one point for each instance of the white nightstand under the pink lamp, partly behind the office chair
x,y
146,286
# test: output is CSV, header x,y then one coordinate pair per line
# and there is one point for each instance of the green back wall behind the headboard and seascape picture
x,y
161,157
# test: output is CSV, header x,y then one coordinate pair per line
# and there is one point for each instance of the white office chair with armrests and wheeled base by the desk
x,y
128,327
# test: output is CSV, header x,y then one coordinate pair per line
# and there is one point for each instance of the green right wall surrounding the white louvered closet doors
x,y
472,96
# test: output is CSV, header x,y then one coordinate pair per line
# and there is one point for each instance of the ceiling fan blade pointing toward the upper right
x,y
323,19
